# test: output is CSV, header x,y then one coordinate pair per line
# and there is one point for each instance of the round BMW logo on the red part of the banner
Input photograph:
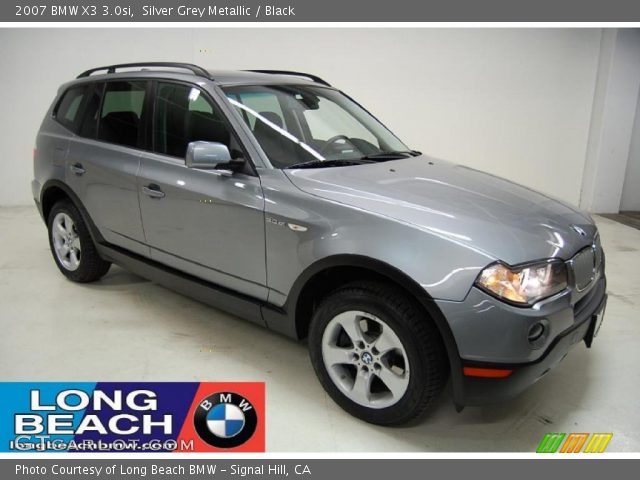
x,y
225,420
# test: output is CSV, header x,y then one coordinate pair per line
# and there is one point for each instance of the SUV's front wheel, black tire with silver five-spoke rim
x,y
376,353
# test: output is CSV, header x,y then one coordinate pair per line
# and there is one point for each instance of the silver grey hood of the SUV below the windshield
x,y
499,218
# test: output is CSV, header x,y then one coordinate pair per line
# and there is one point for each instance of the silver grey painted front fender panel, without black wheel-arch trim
x,y
302,229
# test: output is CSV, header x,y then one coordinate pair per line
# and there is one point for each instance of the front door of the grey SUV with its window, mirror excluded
x,y
202,222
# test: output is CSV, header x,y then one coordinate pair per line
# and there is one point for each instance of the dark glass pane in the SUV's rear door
x,y
121,112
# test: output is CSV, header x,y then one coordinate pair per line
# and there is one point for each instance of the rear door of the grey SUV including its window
x,y
104,159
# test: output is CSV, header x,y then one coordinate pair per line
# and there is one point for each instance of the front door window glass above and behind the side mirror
x,y
182,115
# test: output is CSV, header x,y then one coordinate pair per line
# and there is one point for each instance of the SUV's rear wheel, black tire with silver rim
x,y
71,244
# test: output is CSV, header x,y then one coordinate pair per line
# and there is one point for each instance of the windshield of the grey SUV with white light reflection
x,y
297,124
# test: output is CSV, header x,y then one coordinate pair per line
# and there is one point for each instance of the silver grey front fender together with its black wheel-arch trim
x,y
306,235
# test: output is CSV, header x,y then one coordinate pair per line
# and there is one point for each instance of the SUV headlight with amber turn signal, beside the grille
x,y
524,285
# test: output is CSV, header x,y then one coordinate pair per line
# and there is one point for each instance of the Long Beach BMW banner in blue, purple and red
x,y
132,417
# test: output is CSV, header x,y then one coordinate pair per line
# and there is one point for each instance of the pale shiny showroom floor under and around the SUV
x,y
124,328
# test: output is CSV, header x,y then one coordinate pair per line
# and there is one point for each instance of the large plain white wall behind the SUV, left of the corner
x,y
514,102
